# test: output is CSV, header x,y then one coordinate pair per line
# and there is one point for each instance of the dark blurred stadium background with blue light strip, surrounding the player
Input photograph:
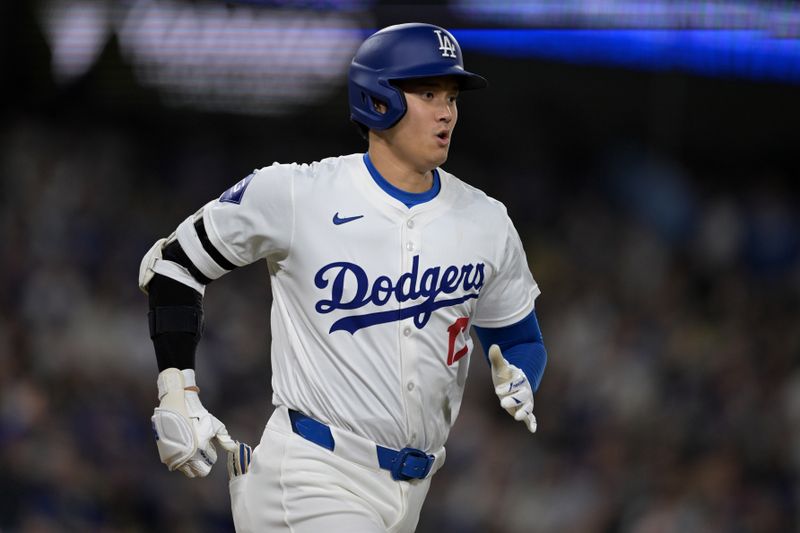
x,y
647,151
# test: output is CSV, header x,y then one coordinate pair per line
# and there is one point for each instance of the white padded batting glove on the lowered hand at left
x,y
184,429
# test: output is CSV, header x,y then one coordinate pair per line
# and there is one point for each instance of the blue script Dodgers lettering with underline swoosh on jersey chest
x,y
430,284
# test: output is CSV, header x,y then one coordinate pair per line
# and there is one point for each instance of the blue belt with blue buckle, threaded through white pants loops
x,y
408,463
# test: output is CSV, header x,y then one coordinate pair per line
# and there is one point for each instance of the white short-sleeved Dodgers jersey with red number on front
x,y
372,301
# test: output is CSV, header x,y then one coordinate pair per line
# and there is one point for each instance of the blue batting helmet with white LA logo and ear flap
x,y
401,52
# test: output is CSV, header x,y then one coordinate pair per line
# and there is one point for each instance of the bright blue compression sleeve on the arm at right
x,y
521,344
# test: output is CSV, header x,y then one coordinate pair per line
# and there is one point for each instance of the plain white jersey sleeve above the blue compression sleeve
x,y
509,295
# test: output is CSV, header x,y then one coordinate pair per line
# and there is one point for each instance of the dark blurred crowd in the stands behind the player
x,y
670,403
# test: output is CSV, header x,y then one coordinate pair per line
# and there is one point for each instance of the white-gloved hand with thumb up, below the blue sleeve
x,y
513,388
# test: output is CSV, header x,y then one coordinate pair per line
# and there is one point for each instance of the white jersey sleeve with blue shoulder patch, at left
x,y
254,219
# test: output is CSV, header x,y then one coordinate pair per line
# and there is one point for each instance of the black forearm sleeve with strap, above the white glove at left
x,y
176,322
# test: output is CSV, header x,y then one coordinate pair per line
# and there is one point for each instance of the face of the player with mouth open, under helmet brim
x,y
422,137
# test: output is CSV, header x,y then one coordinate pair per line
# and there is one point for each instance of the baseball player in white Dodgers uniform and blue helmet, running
x,y
380,263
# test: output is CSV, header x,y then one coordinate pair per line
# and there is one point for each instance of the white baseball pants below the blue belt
x,y
296,486
